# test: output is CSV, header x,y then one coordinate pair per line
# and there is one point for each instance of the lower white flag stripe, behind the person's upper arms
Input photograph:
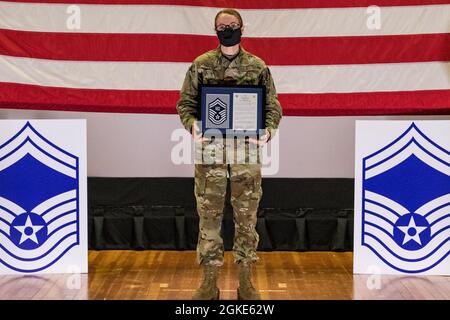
x,y
288,79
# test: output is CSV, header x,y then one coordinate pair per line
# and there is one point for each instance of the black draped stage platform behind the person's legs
x,y
159,213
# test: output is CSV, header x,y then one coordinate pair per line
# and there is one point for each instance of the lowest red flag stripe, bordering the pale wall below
x,y
20,96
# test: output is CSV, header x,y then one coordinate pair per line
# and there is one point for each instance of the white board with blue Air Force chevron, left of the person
x,y
43,196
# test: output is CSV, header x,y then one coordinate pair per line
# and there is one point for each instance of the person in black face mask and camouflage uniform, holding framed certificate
x,y
229,63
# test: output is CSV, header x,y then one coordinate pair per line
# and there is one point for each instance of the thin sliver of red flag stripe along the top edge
x,y
254,4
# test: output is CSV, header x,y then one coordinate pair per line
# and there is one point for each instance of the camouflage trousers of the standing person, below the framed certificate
x,y
210,191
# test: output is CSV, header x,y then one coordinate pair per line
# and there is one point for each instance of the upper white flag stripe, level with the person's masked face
x,y
197,20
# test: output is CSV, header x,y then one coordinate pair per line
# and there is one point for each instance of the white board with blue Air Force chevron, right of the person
x,y
402,197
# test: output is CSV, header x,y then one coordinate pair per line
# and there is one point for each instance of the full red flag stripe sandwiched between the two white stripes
x,y
184,48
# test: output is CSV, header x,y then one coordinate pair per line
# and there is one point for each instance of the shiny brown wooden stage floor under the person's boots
x,y
175,275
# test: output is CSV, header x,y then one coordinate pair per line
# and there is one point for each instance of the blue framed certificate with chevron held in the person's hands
x,y
235,110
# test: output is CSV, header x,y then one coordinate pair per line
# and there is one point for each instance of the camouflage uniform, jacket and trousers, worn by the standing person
x,y
211,179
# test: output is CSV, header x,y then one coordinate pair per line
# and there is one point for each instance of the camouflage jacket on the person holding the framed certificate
x,y
213,67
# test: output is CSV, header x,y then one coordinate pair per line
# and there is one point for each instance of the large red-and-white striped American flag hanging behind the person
x,y
327,57
